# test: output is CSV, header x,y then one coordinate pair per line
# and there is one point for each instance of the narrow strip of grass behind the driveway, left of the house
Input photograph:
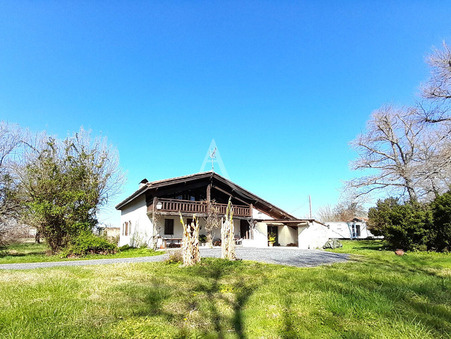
x,y
31,252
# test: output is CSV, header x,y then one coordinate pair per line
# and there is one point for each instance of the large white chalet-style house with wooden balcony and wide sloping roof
x,y
151,214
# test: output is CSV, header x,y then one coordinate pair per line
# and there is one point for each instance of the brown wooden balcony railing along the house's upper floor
x,y
195,207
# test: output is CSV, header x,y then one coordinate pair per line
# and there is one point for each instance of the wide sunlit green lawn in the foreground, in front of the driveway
x,y
375,295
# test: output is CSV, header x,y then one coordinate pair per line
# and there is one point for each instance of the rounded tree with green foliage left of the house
x,y
66,182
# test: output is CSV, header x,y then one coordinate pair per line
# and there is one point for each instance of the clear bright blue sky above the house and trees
x,y
282,86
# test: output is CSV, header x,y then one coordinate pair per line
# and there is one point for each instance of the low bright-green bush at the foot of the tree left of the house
x,y
88,243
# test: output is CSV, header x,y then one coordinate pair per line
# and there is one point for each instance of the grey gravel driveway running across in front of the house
x,y
278,255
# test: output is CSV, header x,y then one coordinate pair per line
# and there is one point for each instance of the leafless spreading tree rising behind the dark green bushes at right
x,y
401,154
